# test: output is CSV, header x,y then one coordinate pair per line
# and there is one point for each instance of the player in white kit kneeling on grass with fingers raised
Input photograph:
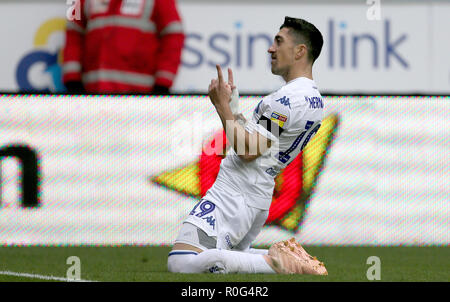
x,y
217,234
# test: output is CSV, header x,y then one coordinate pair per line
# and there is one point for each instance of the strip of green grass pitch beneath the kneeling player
x,y
131,263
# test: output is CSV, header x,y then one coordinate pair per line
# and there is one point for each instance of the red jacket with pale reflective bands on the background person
x,y
121,46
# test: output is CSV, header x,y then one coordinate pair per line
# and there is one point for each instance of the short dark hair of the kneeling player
x,y
305,33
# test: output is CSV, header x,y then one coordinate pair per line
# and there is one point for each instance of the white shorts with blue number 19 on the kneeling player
x,y
226,217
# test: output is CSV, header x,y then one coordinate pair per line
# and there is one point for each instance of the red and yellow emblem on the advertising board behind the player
x,y
294,184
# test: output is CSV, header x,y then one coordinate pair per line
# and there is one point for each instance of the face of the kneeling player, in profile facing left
x,y
282,52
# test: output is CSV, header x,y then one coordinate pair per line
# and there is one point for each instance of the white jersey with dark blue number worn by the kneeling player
x,y
289,117
